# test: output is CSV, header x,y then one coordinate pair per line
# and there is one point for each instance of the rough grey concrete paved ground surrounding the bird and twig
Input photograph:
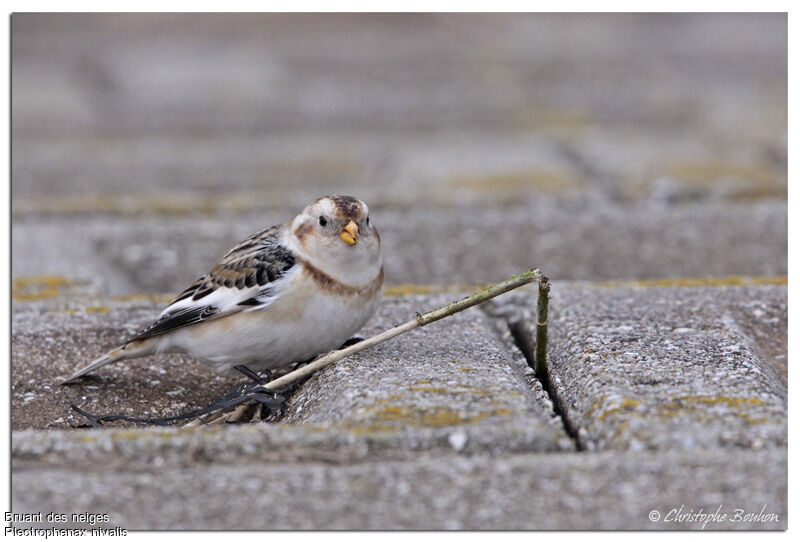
x,y
639,160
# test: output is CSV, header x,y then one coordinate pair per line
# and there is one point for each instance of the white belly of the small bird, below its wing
x,y
295,327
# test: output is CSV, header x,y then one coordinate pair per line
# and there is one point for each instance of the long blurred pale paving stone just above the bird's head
x,y
159,175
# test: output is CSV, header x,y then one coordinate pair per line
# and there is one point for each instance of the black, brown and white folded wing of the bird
x,y
247,278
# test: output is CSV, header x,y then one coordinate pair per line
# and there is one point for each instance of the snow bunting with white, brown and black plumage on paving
x,y
281,296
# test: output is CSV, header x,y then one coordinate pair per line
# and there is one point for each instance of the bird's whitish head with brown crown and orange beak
x,y
336,234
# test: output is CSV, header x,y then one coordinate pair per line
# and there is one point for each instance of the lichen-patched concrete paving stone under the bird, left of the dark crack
x,y
427,388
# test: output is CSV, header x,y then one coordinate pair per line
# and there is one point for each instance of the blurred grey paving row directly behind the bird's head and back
x,y
587,240
